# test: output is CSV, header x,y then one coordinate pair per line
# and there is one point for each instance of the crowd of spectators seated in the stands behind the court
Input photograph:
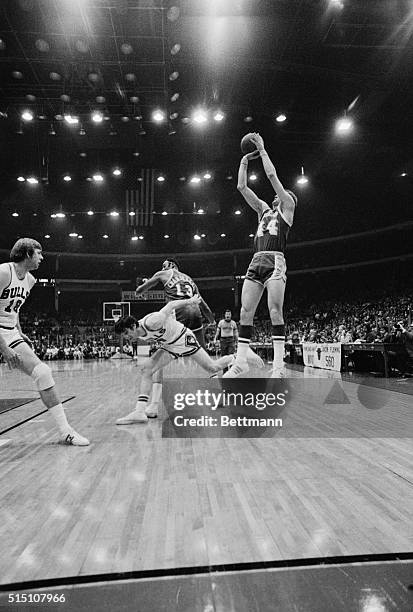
x,y
83,335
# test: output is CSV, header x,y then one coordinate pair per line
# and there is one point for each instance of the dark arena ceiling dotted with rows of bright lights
x,y
252,60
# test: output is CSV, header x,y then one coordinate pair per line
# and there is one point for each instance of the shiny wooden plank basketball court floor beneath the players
x,y
134,501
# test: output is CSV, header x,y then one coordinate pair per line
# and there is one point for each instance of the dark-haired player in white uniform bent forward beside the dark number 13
x,y
175,341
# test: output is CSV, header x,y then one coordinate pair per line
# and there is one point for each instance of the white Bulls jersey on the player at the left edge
x,y
13,296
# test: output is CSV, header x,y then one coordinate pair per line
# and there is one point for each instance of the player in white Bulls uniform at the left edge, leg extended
x,y
16,283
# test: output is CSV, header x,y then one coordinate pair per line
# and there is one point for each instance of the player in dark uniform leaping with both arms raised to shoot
x,y
267,269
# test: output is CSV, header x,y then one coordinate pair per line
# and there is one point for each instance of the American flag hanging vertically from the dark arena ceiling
x,y
139,198
